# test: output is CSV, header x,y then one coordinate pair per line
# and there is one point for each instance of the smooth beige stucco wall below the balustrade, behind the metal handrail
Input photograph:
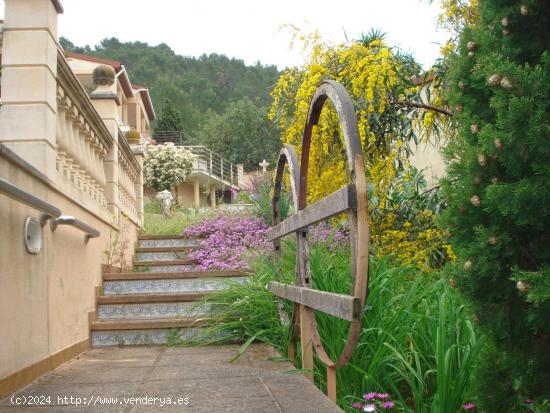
x,y
45,298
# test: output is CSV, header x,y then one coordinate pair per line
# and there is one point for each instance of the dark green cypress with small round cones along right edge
x,y
498,192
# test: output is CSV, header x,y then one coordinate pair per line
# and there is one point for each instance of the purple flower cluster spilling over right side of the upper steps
x,y
226,240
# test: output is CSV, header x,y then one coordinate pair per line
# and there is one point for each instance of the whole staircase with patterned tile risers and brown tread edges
x,y
157,299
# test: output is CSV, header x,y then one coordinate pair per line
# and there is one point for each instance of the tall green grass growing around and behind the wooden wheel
x,y
417,342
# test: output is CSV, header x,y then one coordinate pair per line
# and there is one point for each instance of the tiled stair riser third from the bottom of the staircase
x,y
165,286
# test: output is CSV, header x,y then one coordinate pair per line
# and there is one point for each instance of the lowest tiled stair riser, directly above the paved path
x,y
139,337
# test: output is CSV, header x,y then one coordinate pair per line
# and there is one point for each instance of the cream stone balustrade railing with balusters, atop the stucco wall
x,y
86,150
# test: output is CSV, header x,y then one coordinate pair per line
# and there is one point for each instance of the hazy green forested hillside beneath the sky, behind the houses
x,y
195,86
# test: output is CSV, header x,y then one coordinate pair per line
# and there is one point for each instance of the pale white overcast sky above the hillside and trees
x,y
249,29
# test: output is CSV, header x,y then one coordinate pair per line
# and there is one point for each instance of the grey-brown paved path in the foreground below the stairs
x,y
167,379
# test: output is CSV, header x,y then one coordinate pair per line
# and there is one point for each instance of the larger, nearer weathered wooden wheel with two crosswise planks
x,y
351,198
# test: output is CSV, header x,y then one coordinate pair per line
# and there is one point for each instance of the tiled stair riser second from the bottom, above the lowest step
x,y
151,310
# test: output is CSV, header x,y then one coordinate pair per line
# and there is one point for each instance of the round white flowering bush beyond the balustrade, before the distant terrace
x,y
166,166
